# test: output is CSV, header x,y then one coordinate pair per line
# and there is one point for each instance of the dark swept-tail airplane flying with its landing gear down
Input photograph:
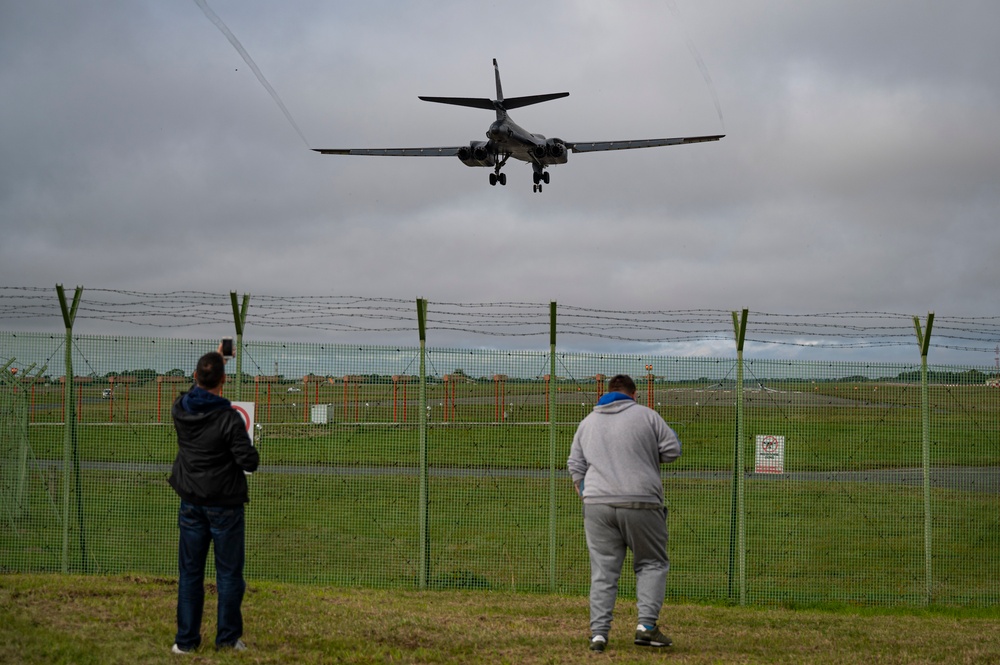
x,y
506,139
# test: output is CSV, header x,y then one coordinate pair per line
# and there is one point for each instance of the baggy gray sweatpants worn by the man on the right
x,y
609,532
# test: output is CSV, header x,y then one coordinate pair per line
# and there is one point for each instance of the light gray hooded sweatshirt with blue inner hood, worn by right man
x,y
617,451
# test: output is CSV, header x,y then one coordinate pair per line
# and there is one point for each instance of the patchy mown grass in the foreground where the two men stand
x,y
62,619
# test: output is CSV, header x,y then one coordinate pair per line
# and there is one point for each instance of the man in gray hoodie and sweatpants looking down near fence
x,y
615,465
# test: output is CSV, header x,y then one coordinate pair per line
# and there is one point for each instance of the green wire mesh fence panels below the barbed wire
x,y
412,466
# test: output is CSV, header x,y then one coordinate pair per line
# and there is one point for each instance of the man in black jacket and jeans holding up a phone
x,y
213,452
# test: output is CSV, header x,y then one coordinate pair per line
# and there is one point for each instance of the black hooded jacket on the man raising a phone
x,y
213,451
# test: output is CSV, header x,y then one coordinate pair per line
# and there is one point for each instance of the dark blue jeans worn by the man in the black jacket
x,y
201,526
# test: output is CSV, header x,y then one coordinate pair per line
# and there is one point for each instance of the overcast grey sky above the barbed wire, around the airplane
x,y
859,169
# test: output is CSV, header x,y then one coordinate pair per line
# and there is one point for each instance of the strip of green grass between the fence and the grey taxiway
x,y
805,541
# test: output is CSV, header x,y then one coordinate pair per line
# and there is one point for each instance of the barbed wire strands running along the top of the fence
x,y
362,316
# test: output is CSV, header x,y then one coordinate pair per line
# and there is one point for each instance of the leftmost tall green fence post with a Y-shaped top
x,y
71,456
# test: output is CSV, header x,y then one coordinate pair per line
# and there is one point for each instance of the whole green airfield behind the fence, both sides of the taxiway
x,y
338,503
